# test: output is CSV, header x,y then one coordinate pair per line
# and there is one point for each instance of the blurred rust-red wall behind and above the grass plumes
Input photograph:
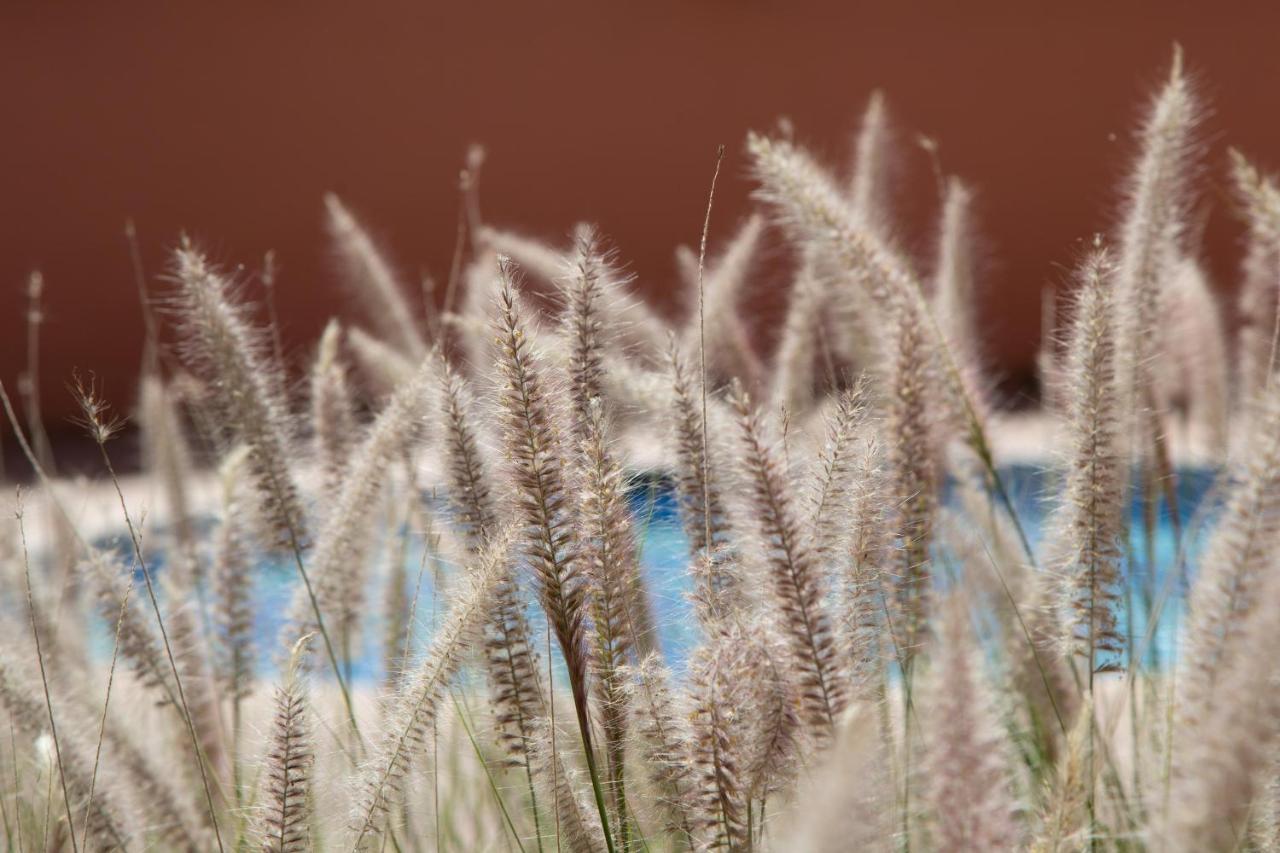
x,y
231,121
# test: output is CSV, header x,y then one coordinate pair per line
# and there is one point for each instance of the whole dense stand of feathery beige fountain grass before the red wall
x,y
889,655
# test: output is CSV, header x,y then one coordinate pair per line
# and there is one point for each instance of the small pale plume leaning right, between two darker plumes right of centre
x,y
831,477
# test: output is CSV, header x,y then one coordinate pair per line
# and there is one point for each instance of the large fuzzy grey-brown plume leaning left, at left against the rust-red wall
x,y
222,346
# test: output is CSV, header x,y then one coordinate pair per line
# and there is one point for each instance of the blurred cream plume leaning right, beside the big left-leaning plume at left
x,y
341,559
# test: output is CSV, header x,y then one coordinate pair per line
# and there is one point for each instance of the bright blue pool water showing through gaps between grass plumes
x,y
665,560
